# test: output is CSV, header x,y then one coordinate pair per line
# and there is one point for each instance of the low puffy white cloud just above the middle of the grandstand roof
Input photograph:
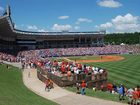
x,y
57,27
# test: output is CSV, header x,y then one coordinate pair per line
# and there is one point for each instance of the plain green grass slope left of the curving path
x,y
13,92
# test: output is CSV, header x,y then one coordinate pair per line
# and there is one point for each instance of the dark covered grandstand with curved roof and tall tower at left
x,y
15,39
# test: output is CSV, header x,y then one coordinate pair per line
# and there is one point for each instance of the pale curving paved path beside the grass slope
x,y
59,95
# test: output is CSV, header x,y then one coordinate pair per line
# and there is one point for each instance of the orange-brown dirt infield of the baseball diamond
x,y
104,58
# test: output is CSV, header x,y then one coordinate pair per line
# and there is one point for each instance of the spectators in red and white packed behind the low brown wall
x,y
61,68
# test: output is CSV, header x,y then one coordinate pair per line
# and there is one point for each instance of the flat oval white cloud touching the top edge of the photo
x,y
109,3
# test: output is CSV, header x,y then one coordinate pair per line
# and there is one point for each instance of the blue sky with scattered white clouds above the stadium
x,y
74,15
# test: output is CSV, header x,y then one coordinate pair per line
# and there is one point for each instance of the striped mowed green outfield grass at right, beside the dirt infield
x,y
126,71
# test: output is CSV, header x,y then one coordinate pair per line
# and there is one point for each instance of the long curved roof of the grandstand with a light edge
x,y
6,26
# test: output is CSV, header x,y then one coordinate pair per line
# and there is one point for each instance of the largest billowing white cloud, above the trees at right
x,y
126,23
